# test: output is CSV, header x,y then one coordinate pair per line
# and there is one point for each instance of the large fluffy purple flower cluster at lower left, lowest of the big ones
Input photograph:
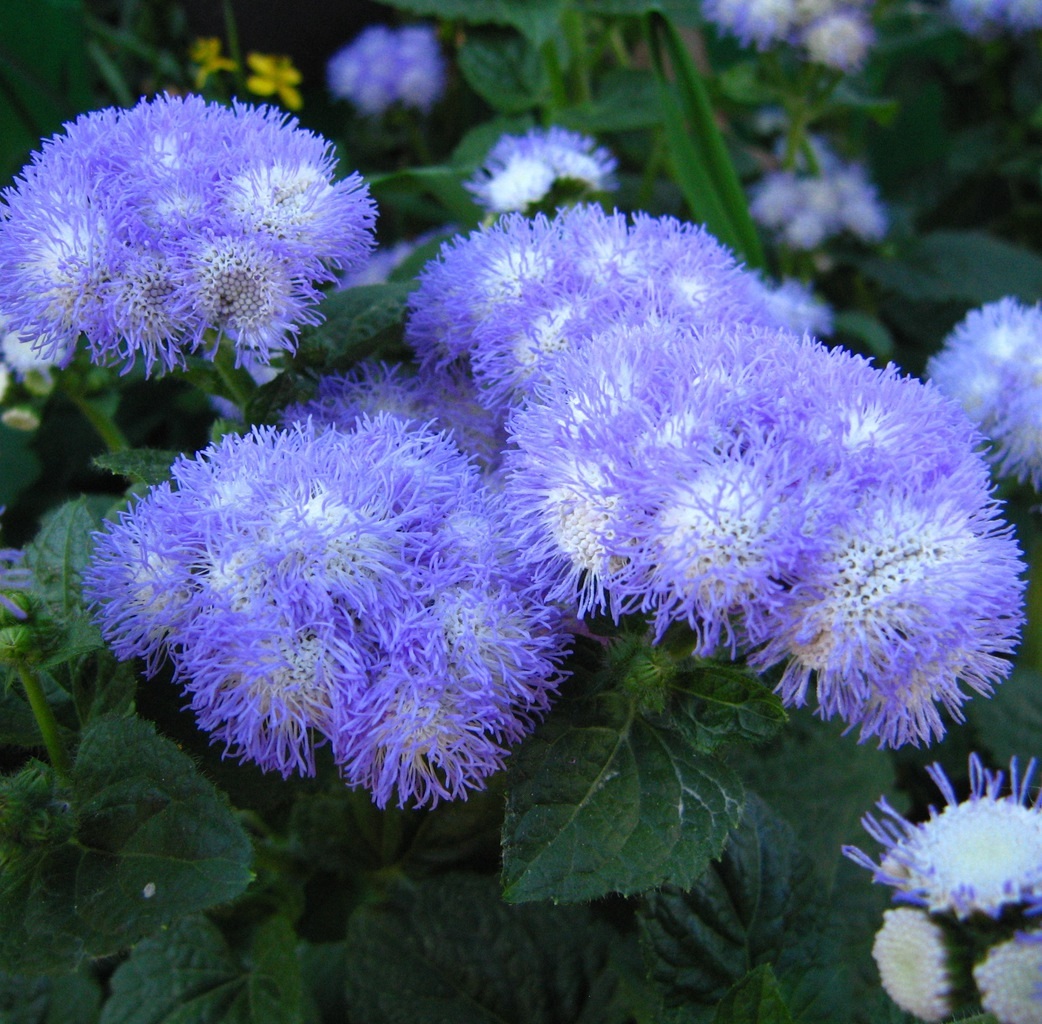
x,y
359,590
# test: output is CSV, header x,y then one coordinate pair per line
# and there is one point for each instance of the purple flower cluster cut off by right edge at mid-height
x,y
991,364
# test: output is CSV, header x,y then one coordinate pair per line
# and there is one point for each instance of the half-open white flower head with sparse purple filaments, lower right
x,y
982,856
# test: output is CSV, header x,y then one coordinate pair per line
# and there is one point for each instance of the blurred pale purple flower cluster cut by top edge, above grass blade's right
x,y
837,34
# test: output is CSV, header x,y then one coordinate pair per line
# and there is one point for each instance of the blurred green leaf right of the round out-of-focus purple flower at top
x,y
505,70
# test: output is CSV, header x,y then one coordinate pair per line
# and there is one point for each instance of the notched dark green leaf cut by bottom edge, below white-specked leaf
x,y
188,975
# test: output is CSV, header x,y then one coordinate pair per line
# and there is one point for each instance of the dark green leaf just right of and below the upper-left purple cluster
x,y
354,318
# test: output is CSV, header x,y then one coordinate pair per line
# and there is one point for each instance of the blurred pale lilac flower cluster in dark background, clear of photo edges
x,y
805,211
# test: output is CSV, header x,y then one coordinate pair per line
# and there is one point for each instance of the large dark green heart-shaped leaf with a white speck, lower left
x,y
154,841
